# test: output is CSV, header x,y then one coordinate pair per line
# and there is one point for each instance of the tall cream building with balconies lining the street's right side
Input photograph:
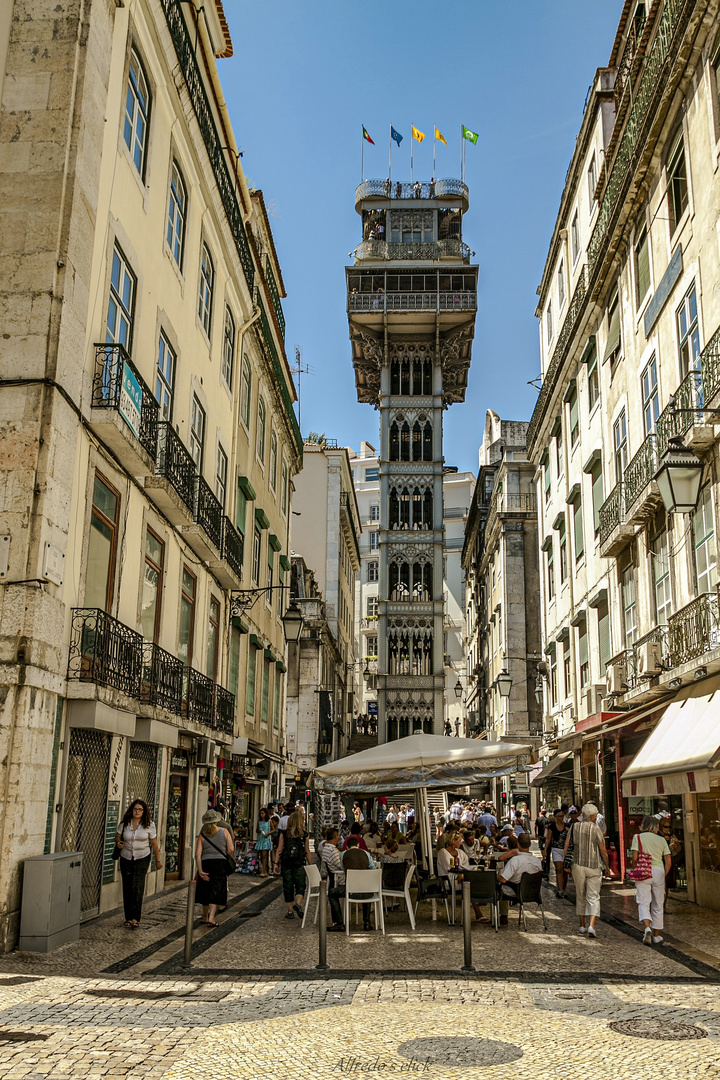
x,y
629,318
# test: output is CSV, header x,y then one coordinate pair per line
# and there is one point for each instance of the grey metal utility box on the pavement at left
x,y
51,901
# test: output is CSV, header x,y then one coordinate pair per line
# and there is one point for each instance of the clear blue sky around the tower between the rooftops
x,y
305,77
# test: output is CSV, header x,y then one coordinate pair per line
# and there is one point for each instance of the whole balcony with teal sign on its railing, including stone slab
x,y
125,411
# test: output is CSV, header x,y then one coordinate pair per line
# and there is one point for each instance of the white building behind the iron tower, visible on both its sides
x,y
457,498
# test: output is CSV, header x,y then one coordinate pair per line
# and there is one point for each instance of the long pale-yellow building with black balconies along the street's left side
x,y
150,443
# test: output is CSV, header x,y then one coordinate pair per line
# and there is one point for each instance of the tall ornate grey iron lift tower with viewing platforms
x,y
412,306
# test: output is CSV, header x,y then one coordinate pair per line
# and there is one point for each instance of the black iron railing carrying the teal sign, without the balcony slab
x,y
117,385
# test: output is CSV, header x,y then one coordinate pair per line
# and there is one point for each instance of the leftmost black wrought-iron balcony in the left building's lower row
x,y
104,651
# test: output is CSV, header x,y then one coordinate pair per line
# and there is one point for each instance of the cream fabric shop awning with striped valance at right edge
x,y
678,755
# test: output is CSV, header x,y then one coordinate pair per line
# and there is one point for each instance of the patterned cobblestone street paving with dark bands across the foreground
x,y
119,1005
